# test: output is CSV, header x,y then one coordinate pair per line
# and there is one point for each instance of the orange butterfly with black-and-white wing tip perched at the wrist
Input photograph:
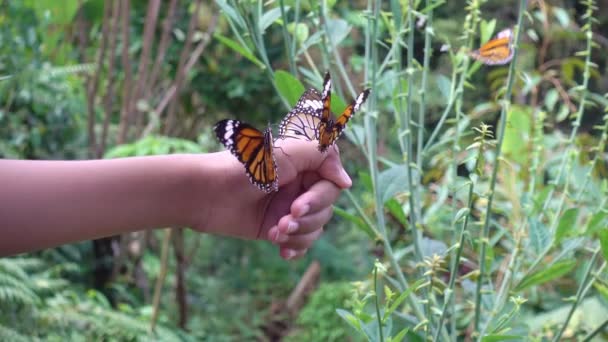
x,y
253,148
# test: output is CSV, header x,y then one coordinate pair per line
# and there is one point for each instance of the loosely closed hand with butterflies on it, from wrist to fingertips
x,y
309,183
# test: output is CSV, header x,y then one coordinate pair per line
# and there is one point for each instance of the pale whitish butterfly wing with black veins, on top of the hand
x,y
302,122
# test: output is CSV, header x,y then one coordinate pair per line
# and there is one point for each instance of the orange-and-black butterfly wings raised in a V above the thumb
x,y
330,129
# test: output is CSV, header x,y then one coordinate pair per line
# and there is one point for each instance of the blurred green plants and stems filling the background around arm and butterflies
x,y
479,207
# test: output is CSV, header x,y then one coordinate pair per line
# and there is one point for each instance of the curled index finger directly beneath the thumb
x,y
320,195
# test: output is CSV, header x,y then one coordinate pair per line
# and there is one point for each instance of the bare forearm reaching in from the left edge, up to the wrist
x,y
47,203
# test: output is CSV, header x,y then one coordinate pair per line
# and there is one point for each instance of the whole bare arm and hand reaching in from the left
x,y
48,203
